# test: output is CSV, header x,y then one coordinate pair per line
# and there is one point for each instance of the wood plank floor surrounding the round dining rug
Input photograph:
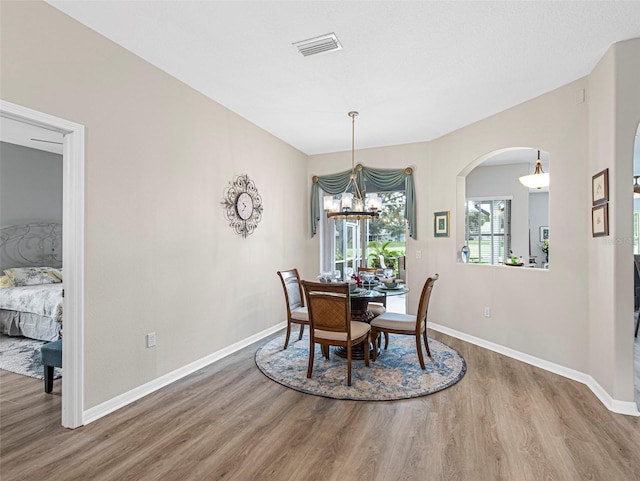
x,y
505,420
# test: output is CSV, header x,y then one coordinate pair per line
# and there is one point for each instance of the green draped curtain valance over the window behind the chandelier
x,y
382,179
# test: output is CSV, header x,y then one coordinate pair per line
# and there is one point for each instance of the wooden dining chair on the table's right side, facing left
x,y
395,323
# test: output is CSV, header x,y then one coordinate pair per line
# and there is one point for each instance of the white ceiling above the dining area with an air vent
x,y
415,70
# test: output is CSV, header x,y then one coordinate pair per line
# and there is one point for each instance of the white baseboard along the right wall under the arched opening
x,y
614,405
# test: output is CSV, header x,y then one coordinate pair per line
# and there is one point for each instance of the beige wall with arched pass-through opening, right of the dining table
x,y
552,327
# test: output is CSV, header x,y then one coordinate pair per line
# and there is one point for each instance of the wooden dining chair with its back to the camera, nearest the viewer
x,y
331,325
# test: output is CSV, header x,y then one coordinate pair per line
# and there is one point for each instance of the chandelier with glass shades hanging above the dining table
x,y
352,204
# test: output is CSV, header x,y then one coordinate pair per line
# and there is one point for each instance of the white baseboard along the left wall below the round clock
x,y
122,400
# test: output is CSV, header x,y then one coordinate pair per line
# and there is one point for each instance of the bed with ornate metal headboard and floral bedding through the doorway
x,y
31,287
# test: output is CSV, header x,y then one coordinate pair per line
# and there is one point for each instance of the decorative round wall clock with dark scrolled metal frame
x,y
242,205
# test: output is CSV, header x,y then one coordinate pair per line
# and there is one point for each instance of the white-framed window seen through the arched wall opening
x,y
488,230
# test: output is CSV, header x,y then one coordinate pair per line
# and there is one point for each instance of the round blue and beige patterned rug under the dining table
x,y
395,375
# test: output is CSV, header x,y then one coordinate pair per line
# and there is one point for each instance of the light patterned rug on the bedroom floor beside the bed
x,y
22,356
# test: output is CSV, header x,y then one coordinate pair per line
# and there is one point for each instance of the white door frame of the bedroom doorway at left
x,y
73,161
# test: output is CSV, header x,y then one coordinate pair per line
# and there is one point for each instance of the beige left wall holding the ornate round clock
x,y
159,254
